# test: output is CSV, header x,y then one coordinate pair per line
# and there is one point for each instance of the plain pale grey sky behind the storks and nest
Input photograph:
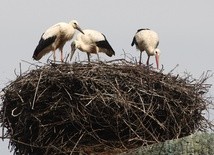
x,y
185,29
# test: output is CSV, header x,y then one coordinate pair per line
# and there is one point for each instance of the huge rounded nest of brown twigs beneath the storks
x,y
99,108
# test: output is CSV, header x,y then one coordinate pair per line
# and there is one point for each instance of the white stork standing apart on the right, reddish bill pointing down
x,y
147,40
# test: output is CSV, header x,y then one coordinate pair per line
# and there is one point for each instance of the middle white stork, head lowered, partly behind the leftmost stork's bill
x,y
91,41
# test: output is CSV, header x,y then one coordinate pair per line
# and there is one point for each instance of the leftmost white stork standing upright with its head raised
x,y
55,37
